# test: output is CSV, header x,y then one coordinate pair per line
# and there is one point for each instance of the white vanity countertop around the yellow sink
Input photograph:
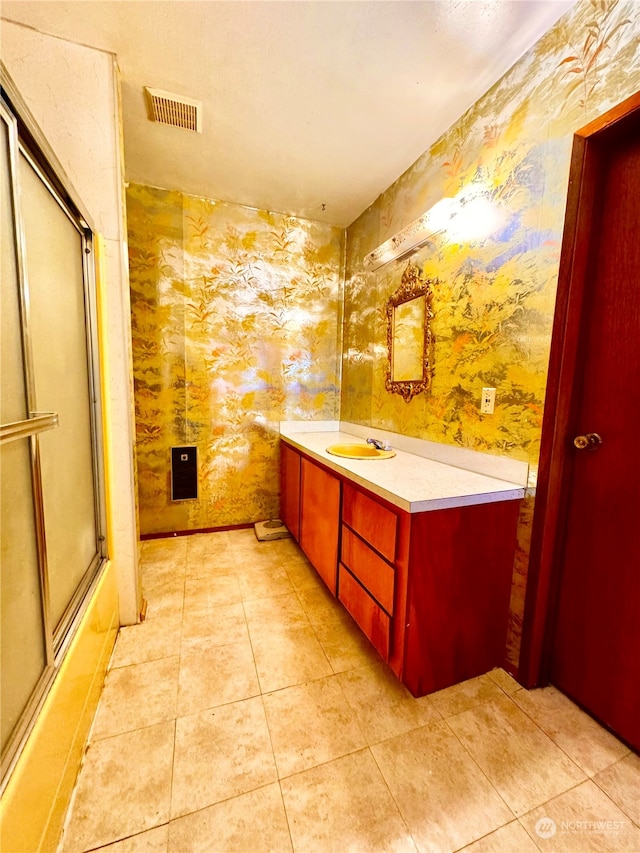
x,y
411,481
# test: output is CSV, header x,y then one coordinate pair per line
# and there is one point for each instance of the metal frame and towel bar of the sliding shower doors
x,y
24,137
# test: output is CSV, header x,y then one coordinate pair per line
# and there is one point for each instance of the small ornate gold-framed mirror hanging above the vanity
x,y
409,336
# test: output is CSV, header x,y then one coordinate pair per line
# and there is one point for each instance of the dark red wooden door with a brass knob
x,y
596,644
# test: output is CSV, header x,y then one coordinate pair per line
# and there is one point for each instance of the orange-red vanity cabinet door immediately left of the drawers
x,y
320,521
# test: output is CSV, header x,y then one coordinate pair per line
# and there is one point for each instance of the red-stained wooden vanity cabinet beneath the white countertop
x,y
429,589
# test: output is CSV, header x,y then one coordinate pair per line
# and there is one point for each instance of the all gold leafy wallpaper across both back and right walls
x,y
237,313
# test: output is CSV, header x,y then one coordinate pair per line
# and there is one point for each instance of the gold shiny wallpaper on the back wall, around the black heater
x,y
236,322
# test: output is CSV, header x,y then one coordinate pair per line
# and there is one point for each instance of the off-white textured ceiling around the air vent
x,y
305,103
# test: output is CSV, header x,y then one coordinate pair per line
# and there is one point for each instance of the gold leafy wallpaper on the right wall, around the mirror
x,y
506,165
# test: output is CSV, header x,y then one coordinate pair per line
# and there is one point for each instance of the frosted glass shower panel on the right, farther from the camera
x,y
58,334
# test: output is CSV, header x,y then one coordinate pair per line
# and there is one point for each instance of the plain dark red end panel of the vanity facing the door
x,y
458,596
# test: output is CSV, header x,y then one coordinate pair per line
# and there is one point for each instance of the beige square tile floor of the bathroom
x,y
248,713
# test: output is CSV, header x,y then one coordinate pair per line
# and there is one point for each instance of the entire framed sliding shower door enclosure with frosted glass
x,y
51,487
